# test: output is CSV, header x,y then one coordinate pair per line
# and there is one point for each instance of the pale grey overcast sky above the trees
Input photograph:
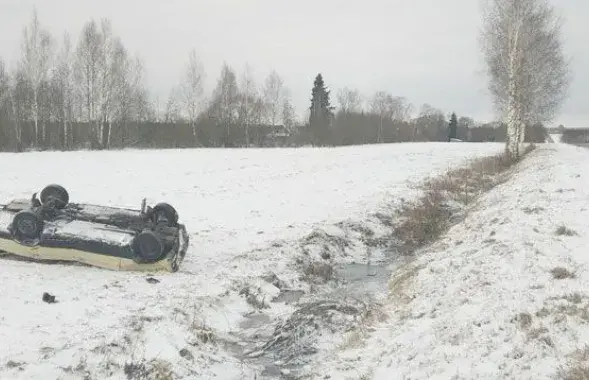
x,y
425,50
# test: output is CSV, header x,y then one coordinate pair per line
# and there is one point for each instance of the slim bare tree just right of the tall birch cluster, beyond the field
x,y
192,89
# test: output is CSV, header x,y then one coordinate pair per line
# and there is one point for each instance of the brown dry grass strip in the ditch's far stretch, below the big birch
x,y
445,199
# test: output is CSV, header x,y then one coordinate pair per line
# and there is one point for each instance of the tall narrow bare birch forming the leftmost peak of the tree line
x,y
37,53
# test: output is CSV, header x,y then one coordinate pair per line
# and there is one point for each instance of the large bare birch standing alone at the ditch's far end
x,y
528,72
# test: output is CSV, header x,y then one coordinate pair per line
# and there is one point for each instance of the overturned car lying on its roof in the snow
x,y
51,228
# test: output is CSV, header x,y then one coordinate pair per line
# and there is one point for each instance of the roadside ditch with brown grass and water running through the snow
x,y
344,272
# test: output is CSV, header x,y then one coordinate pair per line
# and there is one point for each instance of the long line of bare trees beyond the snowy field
x,y
92,94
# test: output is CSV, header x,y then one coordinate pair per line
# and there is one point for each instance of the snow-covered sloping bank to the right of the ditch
x,y
483,303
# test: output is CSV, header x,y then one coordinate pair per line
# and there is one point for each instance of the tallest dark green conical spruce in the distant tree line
x,y
321,113
